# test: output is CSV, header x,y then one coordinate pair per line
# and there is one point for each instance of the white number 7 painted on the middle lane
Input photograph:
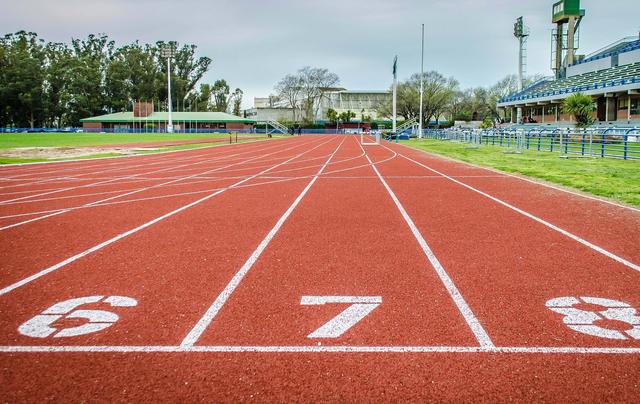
x,y
360,307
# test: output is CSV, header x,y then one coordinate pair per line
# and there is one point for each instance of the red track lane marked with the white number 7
x,y
344,239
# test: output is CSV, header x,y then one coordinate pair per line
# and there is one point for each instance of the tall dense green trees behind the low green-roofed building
x,y
52,84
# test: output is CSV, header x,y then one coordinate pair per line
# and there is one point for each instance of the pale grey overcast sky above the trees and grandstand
x,y
253,43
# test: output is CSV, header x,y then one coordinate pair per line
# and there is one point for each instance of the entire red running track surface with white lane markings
x,y
220,247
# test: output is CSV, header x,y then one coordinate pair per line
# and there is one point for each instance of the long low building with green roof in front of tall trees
x,y
144,118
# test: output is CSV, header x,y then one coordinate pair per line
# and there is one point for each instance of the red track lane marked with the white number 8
x,y
509,266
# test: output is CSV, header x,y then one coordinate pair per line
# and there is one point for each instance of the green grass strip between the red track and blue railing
x,y
612,178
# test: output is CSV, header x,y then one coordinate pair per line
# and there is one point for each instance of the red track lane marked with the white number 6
x,y
203,244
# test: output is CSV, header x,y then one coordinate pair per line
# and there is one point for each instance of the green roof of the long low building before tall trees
x,y
212,117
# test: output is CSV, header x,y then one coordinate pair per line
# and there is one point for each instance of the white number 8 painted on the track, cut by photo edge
x,y
585,321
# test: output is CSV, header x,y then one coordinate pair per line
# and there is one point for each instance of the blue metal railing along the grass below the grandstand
x,y
621,143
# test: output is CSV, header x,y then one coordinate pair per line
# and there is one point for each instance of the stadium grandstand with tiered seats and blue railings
x,y
610,75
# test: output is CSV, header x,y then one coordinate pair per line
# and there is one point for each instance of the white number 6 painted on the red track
x,y
97,320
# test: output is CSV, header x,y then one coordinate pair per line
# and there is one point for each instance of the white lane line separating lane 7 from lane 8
x,y
472,321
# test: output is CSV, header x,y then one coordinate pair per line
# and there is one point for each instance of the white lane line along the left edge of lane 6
x,y
100,246
